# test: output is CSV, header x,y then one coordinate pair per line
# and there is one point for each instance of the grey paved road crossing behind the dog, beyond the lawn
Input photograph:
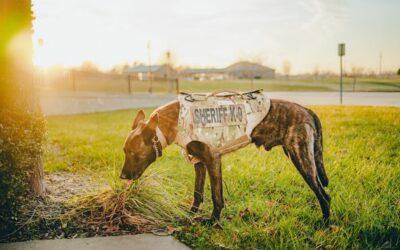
x,y
88,102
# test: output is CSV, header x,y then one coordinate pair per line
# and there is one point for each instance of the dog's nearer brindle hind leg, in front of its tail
x,y
300,146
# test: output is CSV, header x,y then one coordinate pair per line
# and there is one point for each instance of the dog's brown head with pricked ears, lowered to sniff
x,y
139,146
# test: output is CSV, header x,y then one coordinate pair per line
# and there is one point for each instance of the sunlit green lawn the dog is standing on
x,y
268,205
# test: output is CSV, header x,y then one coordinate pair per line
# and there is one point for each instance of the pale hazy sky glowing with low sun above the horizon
x,y
216,33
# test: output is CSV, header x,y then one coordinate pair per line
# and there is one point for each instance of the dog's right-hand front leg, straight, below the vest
x,y
215,173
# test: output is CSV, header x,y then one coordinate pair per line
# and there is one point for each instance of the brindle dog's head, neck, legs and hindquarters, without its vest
x,y
296,128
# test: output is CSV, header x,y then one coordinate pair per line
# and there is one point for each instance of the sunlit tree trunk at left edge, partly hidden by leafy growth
x,y
16,71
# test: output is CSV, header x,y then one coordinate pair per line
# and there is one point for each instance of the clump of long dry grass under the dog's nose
x,y
150,202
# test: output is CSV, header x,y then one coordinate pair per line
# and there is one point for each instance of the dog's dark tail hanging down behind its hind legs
x,y
318,148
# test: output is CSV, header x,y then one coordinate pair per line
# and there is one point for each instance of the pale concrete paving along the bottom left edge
x,y
131,242
